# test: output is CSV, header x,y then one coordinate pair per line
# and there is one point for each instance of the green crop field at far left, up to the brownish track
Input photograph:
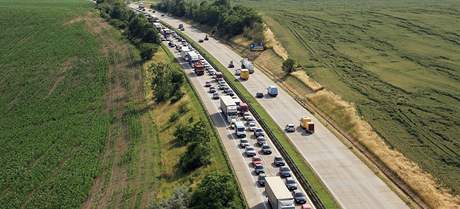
x,y
53,126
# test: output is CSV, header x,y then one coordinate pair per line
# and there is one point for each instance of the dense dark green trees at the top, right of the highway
x,y
226,20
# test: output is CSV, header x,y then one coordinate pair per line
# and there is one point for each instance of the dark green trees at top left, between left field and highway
x,y
136,27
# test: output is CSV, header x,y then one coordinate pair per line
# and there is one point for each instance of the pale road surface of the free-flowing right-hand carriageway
x,y
350,181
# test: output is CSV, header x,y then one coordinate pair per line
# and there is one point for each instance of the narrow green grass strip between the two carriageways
x,y
306,170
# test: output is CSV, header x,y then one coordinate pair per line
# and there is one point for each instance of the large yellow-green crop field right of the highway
x,y
397,61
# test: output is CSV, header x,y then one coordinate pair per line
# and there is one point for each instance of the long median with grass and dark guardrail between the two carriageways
x,y
246,97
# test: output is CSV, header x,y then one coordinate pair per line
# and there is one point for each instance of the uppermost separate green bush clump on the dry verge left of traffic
x,y
166,82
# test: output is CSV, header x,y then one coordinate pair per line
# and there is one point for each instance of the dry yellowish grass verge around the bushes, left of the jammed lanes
x,y
167,175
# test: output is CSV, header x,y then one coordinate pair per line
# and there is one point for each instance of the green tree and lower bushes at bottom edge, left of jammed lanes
x,y
216,190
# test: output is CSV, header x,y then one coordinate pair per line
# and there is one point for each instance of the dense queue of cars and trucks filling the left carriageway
x,y
265,163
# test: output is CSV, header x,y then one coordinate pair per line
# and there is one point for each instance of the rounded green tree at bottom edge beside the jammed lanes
x,y
216,190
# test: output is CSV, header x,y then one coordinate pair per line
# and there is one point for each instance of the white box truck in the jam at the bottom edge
x,y
278,195
